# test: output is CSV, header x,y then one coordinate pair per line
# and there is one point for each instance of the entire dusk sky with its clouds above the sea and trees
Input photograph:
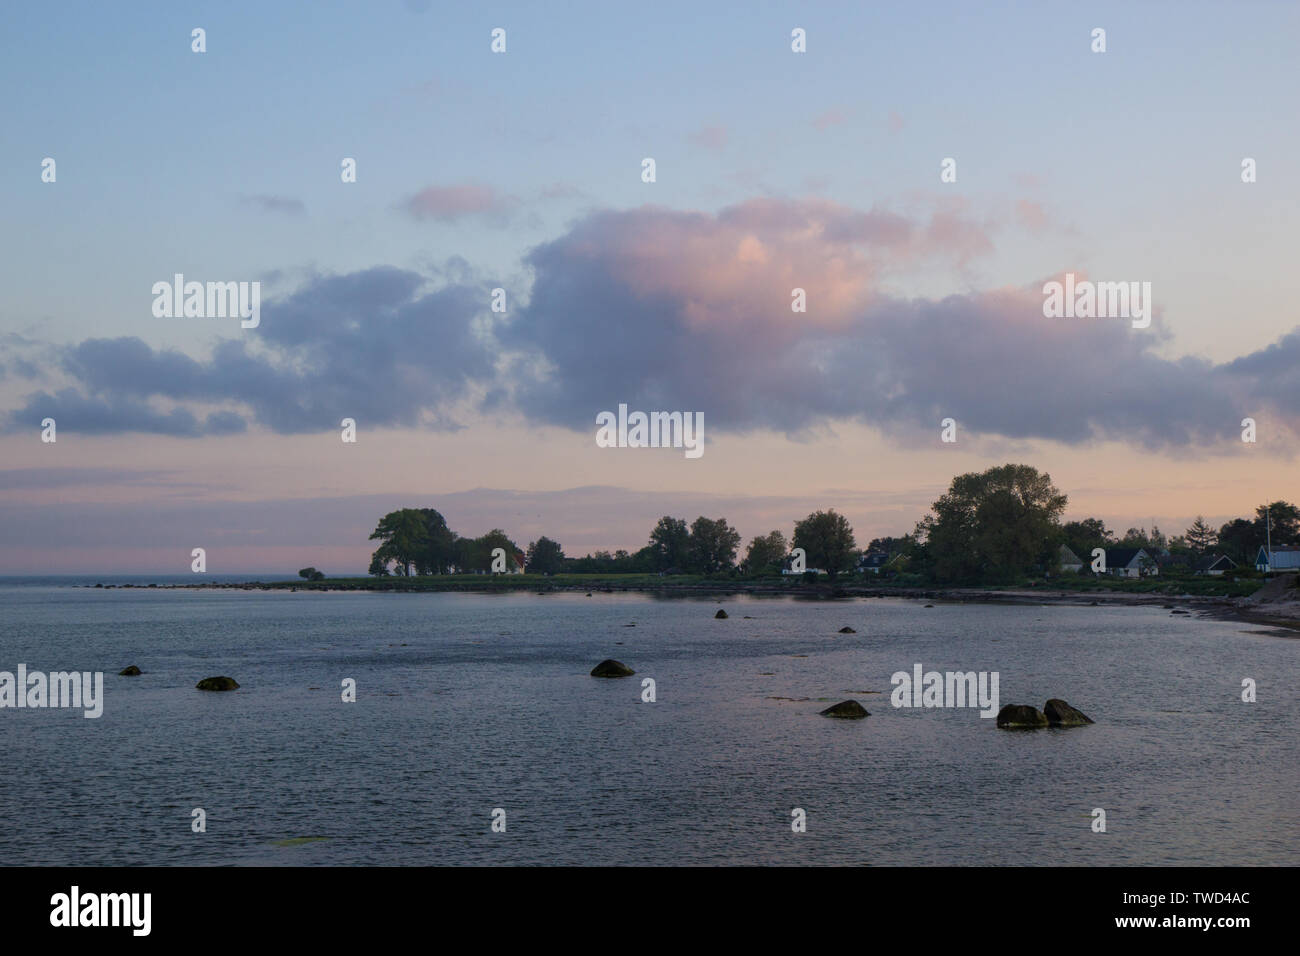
x,y
523,171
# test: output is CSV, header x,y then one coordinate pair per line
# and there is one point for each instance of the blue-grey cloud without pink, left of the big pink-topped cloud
x,y
376,345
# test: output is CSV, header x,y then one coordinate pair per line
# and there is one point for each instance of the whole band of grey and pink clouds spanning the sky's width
x,y
690,312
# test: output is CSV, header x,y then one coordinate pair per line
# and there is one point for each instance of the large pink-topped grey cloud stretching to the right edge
x,y
688,312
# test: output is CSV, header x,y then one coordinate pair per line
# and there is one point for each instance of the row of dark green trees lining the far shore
x,y
991,527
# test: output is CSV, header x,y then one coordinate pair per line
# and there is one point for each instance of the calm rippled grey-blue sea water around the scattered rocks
x,y
469,703
